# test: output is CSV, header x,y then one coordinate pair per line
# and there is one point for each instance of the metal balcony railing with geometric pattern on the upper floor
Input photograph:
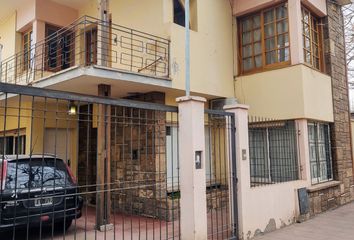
x,y
89,42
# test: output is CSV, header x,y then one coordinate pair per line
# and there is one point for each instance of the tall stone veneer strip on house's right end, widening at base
x,y
335,64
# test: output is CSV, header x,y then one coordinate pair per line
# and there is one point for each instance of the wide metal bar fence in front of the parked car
x,y
85,167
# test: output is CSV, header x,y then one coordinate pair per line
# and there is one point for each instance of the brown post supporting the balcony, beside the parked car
x,y
103,198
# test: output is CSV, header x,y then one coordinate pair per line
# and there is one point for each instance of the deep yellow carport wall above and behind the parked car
x,y
34,120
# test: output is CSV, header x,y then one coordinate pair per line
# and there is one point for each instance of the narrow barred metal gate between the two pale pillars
x,y
220,161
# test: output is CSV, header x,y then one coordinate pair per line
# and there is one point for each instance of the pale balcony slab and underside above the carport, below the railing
x,y
86,79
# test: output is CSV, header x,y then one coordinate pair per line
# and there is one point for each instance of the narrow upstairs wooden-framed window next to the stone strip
x,y
312,39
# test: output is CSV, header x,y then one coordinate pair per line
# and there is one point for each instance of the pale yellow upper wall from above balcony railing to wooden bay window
x,y
211,45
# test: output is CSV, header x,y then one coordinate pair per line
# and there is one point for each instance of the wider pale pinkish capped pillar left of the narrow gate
x,y
192,168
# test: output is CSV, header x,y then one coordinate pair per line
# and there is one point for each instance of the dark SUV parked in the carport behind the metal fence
x,y
37,190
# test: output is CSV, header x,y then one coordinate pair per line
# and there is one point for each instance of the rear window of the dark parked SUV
x,y
37,172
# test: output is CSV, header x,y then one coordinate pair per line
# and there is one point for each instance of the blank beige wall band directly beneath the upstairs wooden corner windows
x,y
288,93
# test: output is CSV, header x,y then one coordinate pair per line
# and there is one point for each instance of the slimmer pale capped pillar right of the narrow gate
x,y
242,158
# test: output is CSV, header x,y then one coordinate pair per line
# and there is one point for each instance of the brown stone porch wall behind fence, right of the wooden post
x,y
138,159
